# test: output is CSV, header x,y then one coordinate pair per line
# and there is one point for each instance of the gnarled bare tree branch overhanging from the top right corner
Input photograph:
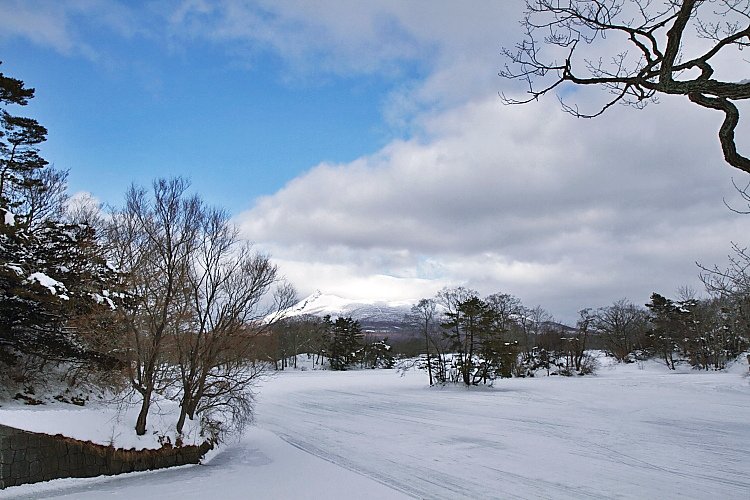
x,y
650,48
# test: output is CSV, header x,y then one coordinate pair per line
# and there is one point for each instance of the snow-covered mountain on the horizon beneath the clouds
x,y
374,315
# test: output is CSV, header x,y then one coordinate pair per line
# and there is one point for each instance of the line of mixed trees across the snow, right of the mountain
x,y
471,340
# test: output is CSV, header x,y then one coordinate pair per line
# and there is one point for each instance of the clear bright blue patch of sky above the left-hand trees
x,y
144,110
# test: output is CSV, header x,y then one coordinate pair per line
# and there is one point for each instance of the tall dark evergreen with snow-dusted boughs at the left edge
x,y
51,270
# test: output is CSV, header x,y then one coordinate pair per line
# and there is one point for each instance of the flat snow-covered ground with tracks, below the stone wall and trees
x,y
625,433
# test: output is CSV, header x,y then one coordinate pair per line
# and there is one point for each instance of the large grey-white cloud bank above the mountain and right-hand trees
x,y
562,212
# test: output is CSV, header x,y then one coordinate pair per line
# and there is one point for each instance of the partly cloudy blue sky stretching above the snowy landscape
x,y
365,147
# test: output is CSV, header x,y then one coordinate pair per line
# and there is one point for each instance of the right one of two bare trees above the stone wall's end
x,y
227,283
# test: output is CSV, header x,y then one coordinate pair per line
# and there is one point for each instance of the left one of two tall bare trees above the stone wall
x,y
152,240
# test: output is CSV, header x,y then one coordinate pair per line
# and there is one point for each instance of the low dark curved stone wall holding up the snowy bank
x,y
30,457
